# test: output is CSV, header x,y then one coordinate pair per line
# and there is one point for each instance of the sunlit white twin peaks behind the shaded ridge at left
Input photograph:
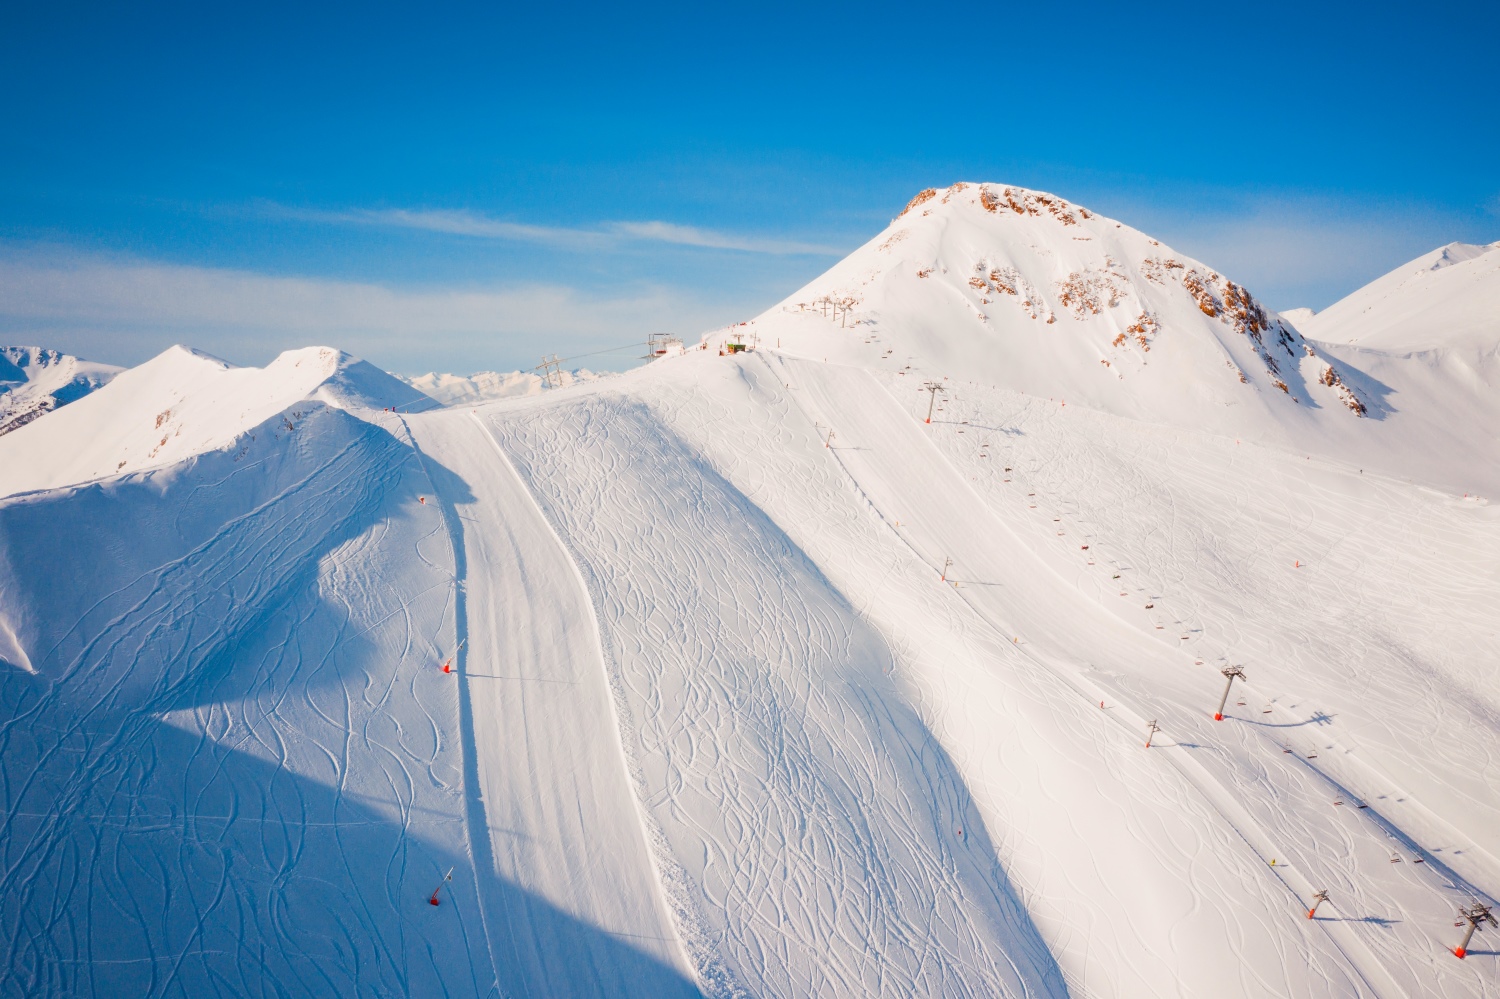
x,y
185,403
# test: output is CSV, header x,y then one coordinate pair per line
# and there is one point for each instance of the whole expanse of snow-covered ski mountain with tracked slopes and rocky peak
x,y
736,676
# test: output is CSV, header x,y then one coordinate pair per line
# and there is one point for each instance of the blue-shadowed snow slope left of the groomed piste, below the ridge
x,y
229,761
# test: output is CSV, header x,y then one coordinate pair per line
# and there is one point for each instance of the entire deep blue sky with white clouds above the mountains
x,y
467,188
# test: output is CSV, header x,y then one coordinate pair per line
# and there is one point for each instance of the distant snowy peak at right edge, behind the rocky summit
x,y
1450,298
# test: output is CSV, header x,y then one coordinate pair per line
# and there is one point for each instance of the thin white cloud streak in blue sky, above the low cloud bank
x,y
604,236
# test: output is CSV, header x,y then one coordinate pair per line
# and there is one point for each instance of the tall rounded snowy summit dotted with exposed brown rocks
x,y
1028,292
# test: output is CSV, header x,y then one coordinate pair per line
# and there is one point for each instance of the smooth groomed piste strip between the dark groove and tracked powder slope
x,y
550,811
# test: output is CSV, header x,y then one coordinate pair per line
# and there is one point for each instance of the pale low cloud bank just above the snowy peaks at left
x,y
125,311
